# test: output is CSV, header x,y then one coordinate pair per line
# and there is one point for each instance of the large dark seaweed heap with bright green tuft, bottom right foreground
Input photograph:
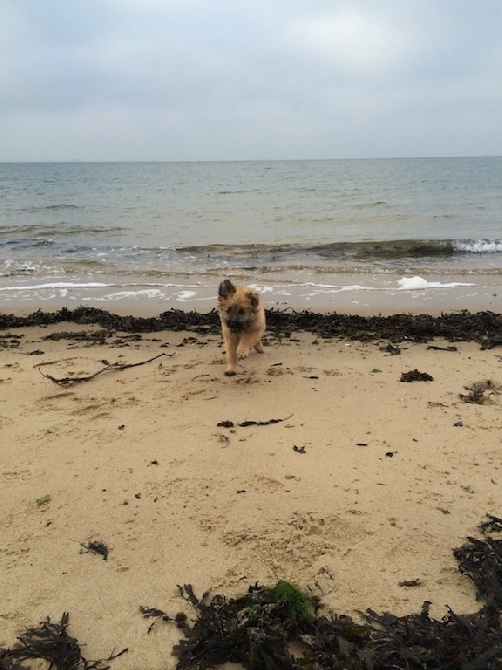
x,y
280,628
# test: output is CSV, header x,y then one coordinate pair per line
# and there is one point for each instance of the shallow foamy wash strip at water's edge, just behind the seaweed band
x,y
349,294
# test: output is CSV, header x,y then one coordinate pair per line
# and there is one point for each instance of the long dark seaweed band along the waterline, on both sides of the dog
x,y
483,327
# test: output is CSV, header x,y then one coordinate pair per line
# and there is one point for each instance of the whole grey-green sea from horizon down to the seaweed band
x,y
409,234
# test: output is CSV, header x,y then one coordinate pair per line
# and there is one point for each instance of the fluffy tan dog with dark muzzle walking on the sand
x,y
242,316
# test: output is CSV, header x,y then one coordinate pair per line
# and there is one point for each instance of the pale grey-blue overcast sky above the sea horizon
x,y
238,80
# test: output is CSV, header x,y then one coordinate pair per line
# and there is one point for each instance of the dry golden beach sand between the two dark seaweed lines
x,y
362,482
